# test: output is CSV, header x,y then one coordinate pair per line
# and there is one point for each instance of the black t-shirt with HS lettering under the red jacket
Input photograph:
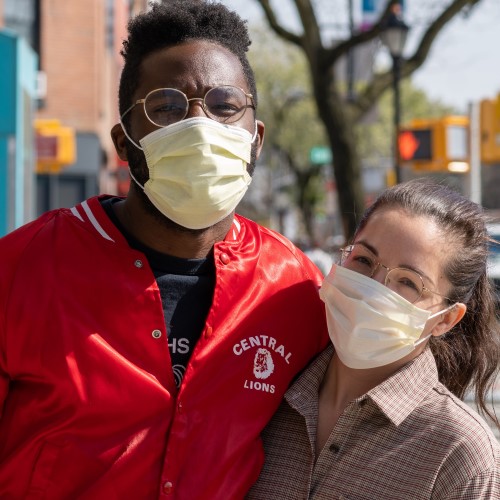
x,y
186,289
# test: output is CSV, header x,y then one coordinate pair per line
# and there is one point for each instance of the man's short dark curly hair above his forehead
x,y
177,21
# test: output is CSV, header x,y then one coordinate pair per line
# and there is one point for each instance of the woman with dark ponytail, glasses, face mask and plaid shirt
x,y
410,312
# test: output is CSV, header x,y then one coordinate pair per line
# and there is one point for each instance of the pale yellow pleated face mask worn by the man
x,y
197,170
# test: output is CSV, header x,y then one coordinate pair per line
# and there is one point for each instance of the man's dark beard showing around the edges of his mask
x,y
139,168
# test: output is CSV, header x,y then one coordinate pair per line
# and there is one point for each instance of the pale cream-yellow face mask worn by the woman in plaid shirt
x,y
369,324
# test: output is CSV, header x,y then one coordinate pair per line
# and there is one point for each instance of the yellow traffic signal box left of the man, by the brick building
x,y
55,146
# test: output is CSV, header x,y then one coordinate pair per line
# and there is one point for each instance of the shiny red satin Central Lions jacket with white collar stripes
x,y
89,407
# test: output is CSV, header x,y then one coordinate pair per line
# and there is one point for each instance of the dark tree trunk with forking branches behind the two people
x,y
340,115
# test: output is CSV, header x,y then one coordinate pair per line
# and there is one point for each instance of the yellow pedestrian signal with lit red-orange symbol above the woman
x,y
439,144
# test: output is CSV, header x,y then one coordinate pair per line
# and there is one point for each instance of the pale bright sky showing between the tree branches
x,y
464,64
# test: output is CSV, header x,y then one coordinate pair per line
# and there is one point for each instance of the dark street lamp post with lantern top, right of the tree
x,y
394,38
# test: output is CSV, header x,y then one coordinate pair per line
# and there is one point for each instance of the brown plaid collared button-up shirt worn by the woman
x,y
408,438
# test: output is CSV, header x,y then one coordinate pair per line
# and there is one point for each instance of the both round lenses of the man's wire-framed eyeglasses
x,y
224,104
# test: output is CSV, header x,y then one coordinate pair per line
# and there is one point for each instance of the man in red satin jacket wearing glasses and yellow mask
x,y
145,342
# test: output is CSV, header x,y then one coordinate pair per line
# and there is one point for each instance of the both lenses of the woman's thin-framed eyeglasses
x,y
404,282
